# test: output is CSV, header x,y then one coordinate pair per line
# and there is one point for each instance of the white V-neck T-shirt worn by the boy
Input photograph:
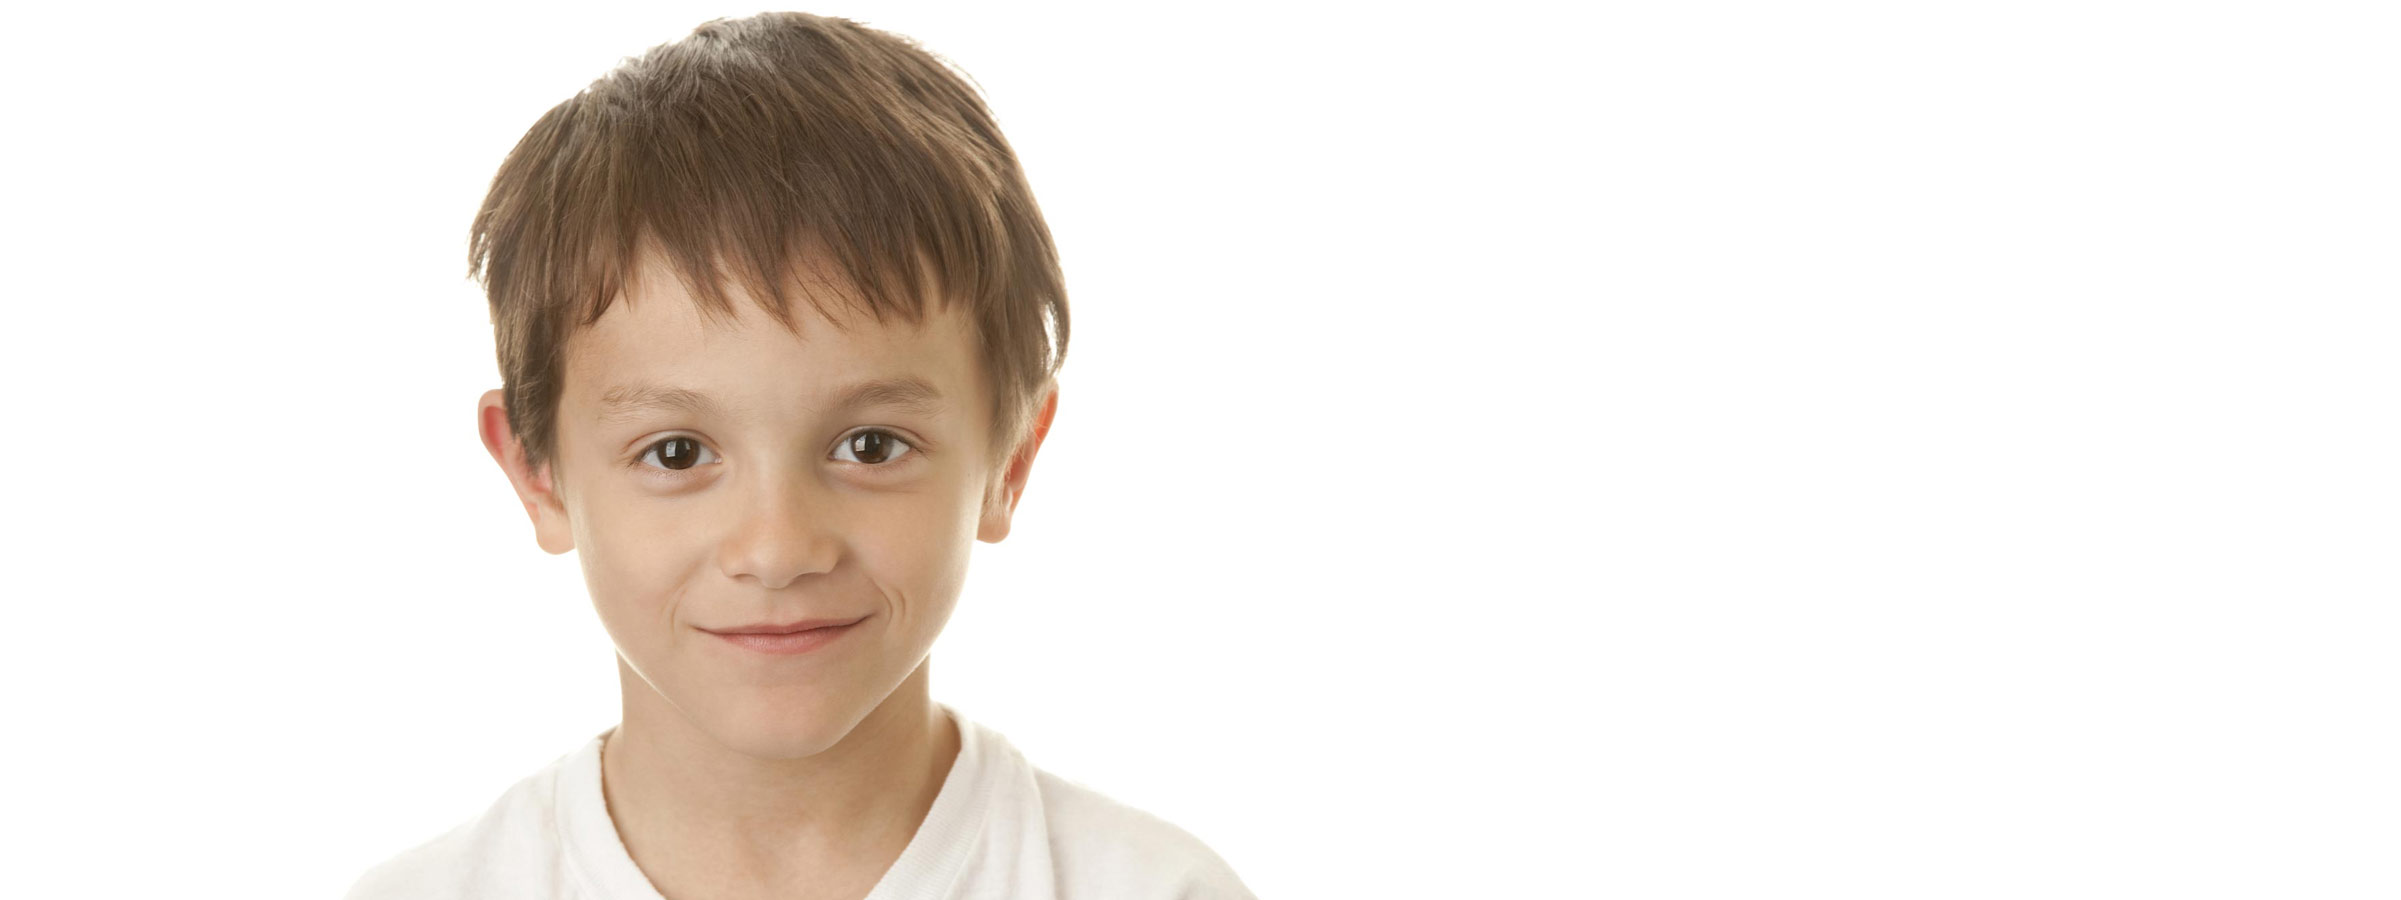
x,y
1000,829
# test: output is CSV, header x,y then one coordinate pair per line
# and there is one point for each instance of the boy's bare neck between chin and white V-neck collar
x,y
693,810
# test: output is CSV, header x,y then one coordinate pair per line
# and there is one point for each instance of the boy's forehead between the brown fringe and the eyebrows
x,y
657,335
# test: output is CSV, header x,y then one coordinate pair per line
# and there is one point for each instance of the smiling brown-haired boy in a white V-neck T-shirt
x,y
779,325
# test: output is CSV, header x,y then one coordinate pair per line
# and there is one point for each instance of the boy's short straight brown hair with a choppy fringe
x,y
743,150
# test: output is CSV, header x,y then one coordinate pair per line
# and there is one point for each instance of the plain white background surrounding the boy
x,y
1708,450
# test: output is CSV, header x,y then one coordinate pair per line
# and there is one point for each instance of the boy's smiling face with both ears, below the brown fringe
x,y
774,491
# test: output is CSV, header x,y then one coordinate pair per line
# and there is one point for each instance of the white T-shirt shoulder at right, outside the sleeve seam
x,y
1103,848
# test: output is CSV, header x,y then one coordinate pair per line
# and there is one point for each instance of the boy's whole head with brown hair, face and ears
x,y
779,325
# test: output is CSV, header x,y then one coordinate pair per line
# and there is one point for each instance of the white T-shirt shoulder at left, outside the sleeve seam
x,y
503,853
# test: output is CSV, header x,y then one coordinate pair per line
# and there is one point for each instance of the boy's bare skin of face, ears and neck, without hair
x,y
738,774
